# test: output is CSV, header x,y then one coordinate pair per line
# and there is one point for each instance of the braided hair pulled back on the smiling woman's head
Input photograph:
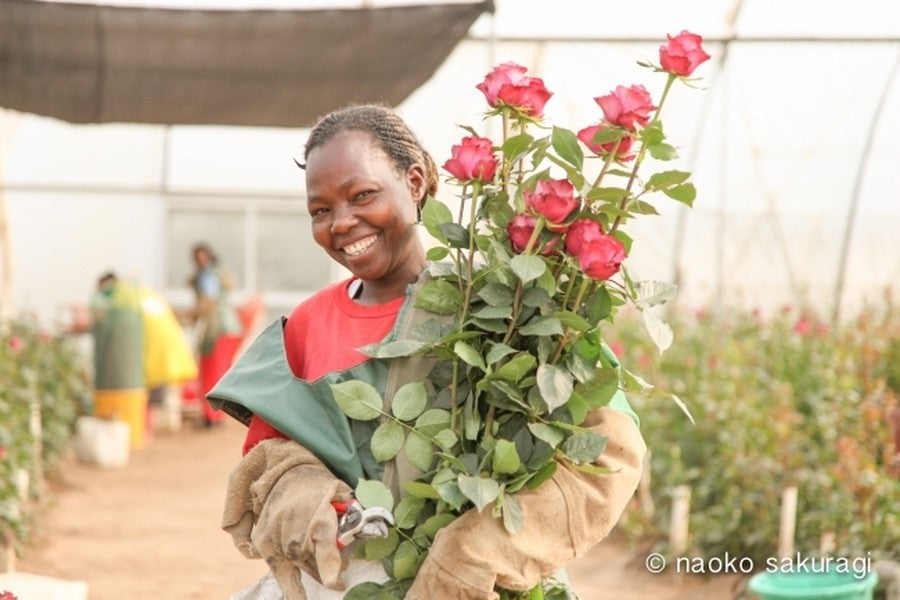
x,y
389,131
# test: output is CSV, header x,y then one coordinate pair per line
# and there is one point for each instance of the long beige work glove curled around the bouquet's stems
x,y
563,518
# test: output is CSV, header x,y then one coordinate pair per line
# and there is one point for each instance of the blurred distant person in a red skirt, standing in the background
x,y
219,329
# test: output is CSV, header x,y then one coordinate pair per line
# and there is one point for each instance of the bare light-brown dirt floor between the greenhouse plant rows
x,y
151,531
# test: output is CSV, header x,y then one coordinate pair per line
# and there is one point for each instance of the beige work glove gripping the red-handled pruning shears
x,y
278,507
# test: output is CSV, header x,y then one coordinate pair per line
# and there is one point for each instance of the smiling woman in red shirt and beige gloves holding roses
x,y
367,178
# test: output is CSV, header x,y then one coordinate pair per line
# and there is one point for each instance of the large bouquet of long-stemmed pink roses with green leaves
x,y
526,273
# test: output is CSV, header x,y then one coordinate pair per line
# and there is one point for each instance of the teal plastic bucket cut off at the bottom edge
x,y
813,586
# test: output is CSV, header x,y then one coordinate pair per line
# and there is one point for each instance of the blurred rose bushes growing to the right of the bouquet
x,y
783,400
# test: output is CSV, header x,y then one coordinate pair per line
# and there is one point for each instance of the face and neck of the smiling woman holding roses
x,y
363,209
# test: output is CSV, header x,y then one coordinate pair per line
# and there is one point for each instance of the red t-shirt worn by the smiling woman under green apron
x,y
322,335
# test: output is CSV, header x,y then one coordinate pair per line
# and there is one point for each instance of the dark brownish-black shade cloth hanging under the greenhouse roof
x,y
282,68
